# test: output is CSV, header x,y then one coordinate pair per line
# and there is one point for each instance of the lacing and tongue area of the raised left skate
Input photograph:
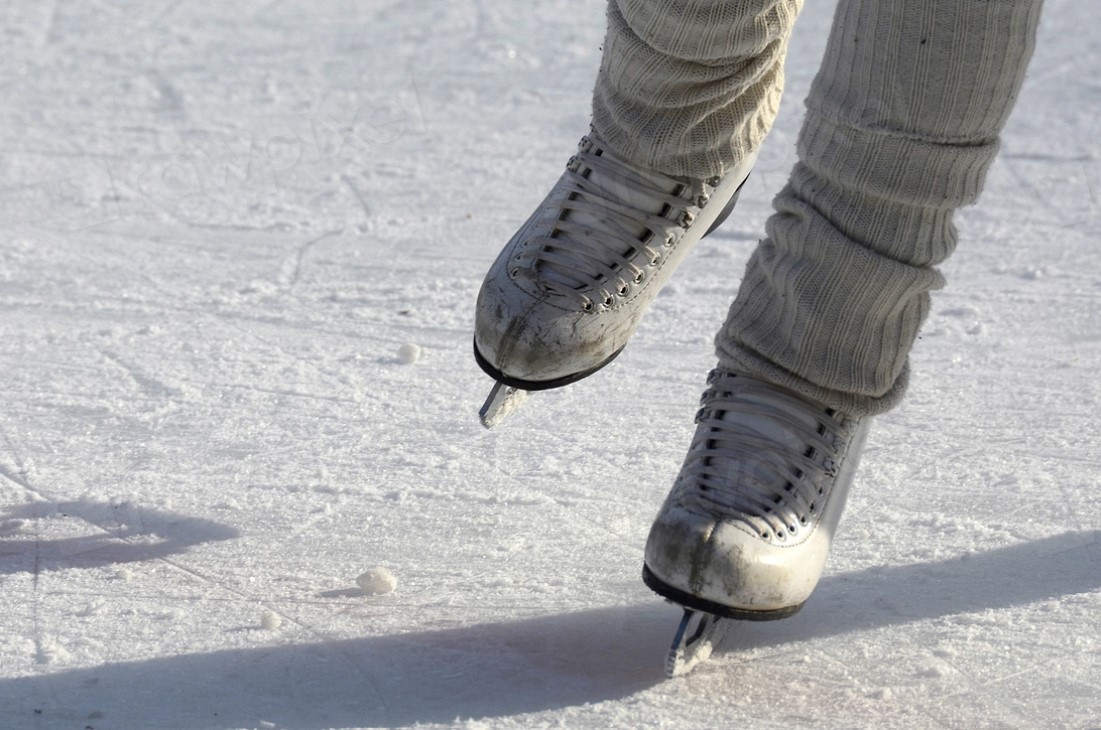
x,y
603,244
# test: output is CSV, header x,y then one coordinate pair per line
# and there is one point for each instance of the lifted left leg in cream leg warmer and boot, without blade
x,y
685,94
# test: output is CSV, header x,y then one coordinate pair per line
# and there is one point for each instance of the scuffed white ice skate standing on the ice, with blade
x,y
747,528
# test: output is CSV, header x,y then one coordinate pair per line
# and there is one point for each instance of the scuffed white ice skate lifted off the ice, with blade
x,y
568,292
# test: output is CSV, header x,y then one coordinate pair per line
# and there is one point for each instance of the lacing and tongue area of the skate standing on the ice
x,y
766,460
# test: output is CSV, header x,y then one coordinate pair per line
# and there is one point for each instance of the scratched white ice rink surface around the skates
x,y
239,249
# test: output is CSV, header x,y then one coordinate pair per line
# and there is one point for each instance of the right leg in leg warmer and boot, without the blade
x,y
903,123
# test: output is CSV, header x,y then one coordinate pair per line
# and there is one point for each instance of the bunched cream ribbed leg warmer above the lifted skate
x,y
689,88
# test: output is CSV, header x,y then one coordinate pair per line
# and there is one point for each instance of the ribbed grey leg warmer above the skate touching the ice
x,y
902,125
